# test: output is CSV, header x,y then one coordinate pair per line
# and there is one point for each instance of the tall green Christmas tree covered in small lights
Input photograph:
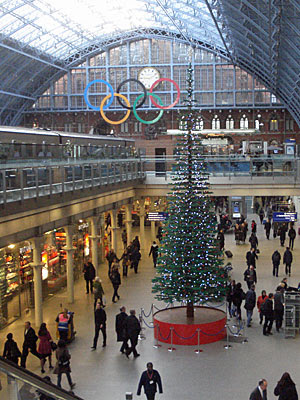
x,y
189,267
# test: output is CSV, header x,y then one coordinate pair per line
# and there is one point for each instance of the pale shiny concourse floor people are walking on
x,y
215,373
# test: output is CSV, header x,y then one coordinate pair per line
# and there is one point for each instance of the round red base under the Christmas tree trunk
x,y
209,320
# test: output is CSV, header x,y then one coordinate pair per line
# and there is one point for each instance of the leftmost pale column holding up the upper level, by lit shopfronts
x,y
37,279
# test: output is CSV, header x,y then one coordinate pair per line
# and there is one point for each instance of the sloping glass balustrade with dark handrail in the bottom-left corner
x,y
22,384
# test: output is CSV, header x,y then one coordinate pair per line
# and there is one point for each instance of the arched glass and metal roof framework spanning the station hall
x,y
41,40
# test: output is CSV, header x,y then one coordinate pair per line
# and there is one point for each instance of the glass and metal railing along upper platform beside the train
x,y
49,178
